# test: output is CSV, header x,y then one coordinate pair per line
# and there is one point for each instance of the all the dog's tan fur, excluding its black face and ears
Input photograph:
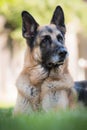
x,y
38,89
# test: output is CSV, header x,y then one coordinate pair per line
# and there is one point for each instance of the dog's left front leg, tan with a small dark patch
x,y
28,96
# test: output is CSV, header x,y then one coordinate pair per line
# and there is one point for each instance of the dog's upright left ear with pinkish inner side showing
x,y
29,25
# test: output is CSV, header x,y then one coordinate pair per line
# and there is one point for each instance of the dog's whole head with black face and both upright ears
x,y
46,42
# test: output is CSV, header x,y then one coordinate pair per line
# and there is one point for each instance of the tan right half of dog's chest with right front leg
x,y
57,90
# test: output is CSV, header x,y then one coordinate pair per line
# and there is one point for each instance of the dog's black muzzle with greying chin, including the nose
x,y
58,57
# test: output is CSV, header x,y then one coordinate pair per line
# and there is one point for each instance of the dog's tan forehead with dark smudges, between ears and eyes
x,y
48,30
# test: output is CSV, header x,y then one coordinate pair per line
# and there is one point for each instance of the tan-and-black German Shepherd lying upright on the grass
x,y
45,82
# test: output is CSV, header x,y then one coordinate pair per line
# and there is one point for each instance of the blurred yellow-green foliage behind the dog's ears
x,y
42,10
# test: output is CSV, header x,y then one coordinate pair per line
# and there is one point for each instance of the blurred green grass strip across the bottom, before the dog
x,y
62,120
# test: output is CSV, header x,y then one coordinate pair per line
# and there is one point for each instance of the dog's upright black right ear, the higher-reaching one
x,y
58,19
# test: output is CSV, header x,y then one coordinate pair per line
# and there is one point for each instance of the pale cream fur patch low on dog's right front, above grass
x,y
56,99
